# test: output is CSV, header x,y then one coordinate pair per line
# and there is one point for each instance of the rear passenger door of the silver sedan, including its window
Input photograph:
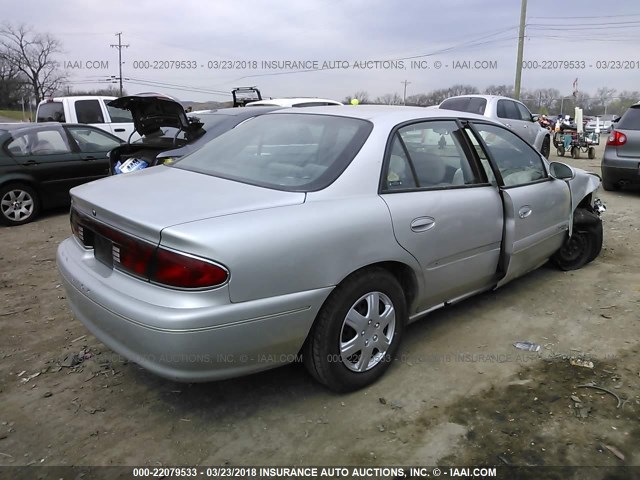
x,y
444,211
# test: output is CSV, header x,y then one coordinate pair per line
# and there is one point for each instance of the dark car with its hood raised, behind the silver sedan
x,y
167,132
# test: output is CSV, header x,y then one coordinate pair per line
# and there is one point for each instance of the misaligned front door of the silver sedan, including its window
x,y
537,208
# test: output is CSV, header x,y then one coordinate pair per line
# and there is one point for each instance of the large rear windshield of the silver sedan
x,y
294,152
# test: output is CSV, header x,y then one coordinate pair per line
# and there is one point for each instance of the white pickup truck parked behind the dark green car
x,y
92,110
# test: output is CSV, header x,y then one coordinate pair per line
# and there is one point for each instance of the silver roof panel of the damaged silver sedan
x,y
383,113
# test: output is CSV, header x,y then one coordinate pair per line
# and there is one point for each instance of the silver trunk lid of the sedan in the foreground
x,y
144,203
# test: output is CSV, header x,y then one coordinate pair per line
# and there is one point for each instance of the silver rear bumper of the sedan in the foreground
x,y
187,343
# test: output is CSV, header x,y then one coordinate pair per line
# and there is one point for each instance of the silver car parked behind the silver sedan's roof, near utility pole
x,y
512,113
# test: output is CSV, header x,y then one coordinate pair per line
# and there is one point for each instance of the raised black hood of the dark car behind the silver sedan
x,y
152,111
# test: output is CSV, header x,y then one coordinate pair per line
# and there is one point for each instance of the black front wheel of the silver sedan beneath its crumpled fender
x,y
584,245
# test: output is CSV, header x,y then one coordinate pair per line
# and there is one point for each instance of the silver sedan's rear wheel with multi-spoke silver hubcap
x,y
357,332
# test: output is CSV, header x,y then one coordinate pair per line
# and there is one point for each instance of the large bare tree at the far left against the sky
x,y
32,54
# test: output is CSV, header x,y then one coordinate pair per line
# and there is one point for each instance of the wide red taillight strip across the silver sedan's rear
x,y
145,260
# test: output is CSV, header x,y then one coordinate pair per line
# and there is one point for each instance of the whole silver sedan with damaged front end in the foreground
x,y
316,230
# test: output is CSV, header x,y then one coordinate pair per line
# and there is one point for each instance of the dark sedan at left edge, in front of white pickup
x,y
39,163
